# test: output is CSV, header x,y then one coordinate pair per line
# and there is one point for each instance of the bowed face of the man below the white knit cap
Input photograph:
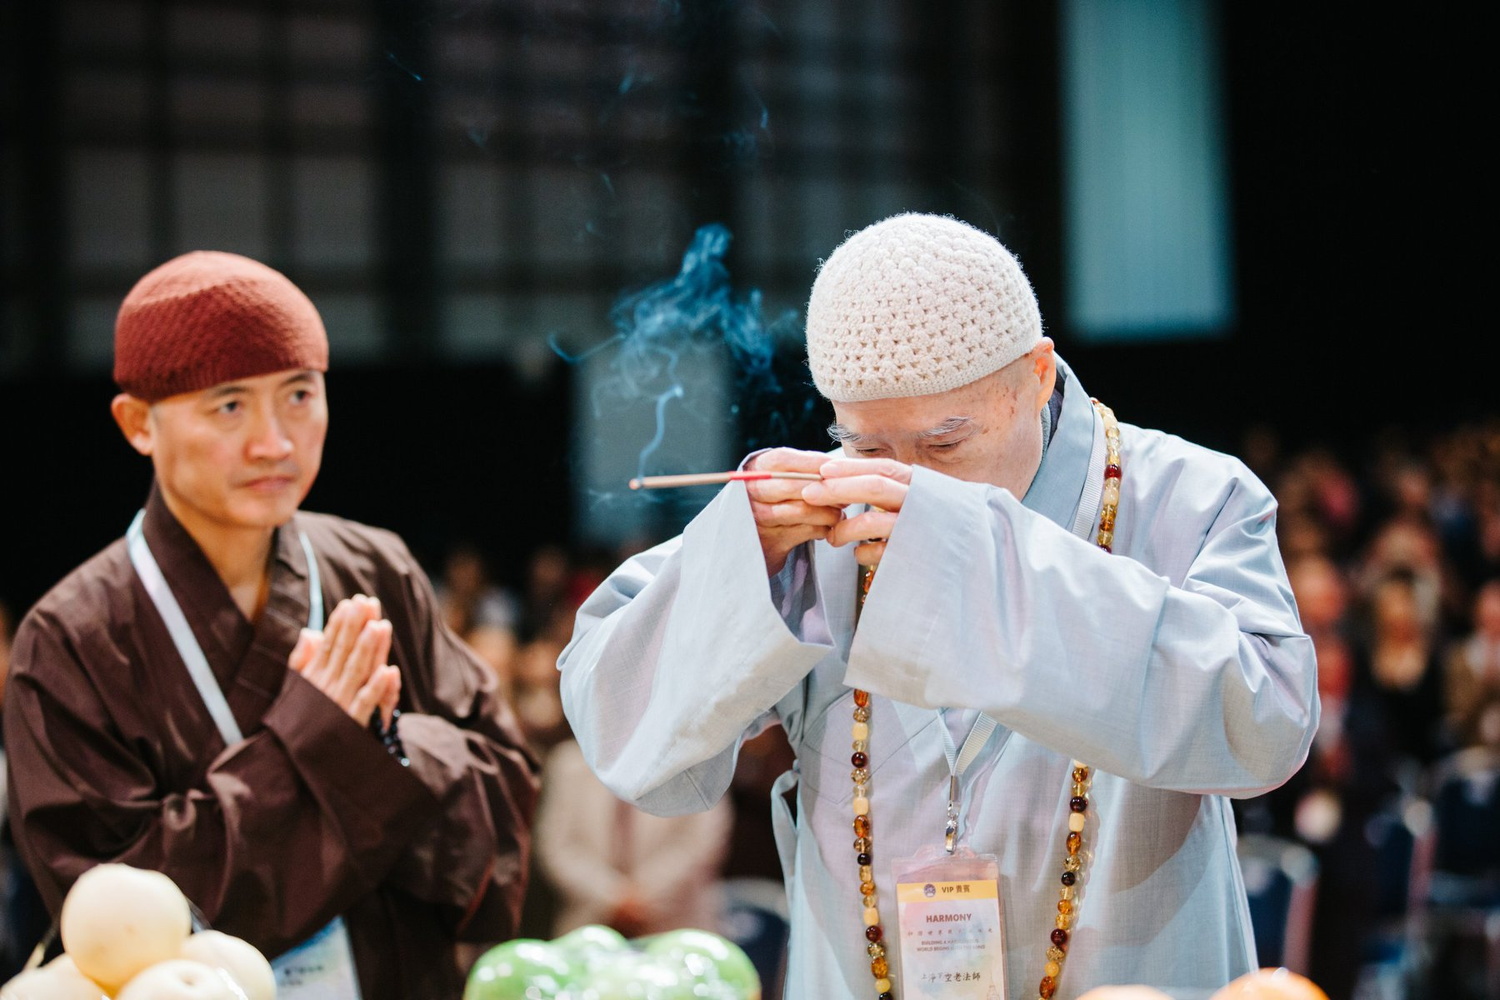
x,y
983,433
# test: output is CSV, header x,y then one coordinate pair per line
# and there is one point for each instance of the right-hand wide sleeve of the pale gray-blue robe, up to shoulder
x,y
1198,678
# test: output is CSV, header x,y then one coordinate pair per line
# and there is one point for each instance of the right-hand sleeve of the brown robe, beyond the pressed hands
x,y
472,857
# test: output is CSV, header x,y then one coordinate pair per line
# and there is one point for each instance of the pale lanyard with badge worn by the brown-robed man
x,y
323,966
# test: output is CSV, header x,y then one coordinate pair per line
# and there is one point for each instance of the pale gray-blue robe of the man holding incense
x,y
1177,668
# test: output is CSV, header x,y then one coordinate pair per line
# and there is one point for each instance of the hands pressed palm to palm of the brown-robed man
x,y
347,660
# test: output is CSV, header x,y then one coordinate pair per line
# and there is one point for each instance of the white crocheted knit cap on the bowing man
x,y
917,305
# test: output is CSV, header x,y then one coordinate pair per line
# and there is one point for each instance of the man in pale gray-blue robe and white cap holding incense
x,y
1076,645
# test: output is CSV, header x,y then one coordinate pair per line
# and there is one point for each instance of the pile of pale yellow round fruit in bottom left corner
x,y
128,935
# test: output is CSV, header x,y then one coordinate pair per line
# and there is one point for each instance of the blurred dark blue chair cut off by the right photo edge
x,y
1459,918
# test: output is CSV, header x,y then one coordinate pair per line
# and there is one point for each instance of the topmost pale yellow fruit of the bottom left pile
x,y
119,920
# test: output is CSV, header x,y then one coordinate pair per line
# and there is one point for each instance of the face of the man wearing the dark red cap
x,y
236,457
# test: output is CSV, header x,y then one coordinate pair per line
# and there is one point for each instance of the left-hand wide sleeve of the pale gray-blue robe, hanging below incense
x,y
677,657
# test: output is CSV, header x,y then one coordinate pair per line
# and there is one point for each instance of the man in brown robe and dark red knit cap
x,y
343,789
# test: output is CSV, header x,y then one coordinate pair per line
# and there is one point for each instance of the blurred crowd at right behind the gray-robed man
x,y
1394,558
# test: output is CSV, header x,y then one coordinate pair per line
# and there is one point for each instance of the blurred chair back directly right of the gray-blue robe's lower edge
x,y
1282,882
